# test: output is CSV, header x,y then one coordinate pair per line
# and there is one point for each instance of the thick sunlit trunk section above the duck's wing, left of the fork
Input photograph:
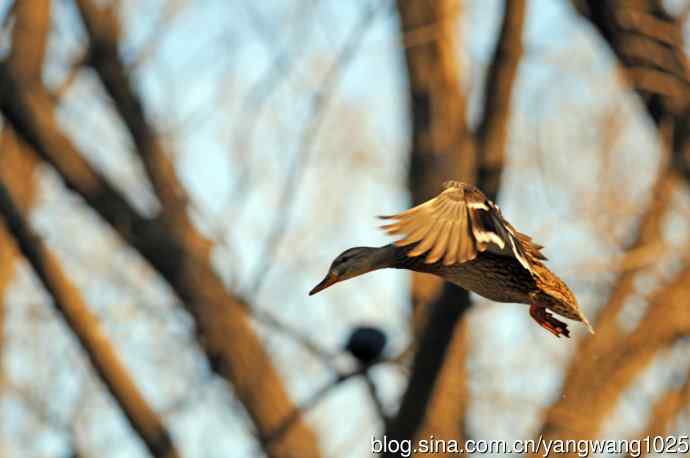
x,y
442,146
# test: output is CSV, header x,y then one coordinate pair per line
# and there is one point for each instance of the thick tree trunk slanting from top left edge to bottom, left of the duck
x,y
233,347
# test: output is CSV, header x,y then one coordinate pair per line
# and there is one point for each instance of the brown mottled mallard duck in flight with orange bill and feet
x,y
461,236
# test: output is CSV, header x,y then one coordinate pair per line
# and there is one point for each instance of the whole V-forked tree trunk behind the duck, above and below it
x,y
436,398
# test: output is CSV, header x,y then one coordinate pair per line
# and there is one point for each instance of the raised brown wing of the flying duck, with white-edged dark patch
x,y
458,224
